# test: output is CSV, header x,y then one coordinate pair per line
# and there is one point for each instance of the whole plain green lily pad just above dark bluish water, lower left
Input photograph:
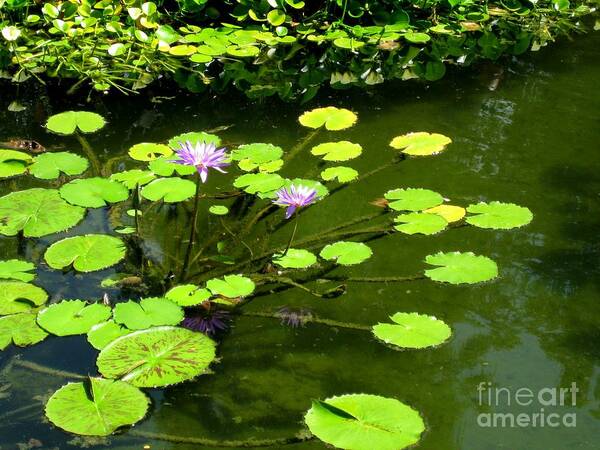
x,y
72,317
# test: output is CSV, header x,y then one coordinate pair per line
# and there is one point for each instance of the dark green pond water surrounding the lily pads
x,y
532,141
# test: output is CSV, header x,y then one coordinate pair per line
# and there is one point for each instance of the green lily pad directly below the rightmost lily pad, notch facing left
x,y
457,268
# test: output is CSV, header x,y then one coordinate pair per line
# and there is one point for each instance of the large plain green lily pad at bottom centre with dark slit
x,y
365,422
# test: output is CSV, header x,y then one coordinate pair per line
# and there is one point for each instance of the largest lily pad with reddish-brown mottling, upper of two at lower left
x,y
157,357
